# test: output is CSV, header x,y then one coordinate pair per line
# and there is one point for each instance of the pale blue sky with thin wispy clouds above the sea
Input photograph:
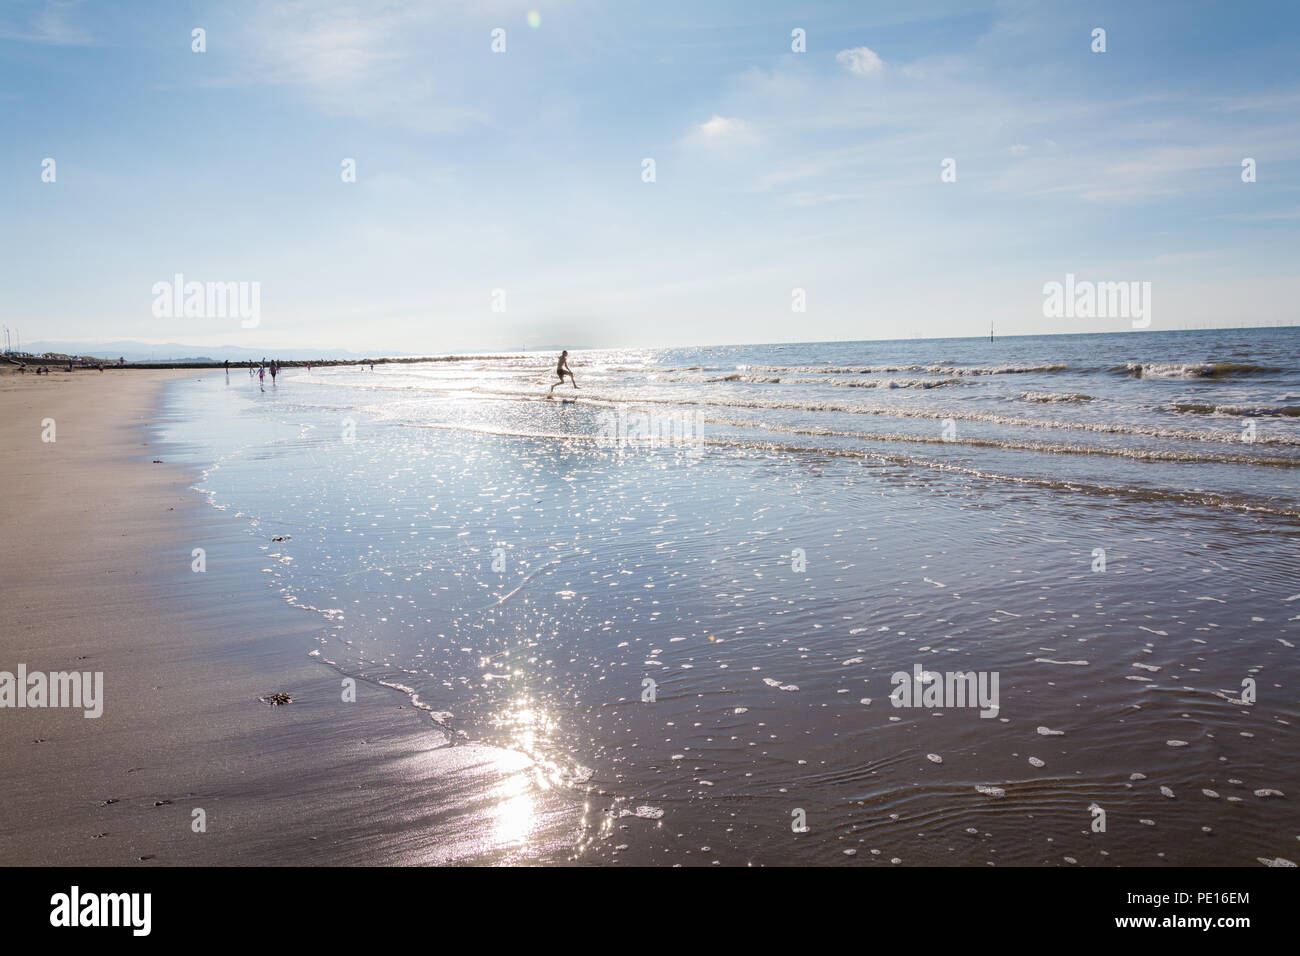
x,y
501,200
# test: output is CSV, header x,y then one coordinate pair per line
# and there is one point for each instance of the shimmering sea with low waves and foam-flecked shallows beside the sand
x,y
522,568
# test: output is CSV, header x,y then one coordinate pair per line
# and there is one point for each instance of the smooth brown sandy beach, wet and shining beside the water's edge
x,y
97,566
